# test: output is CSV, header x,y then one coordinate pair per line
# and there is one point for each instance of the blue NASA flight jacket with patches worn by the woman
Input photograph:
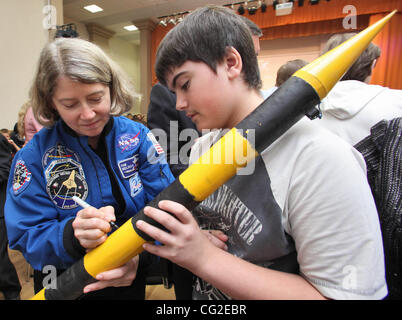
x,y
56,165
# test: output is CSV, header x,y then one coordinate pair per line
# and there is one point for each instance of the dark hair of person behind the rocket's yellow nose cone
x,y
361,69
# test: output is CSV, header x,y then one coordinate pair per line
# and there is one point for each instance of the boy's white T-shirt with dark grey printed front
x,y
306,208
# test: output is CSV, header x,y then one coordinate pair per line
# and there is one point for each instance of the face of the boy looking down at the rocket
x,y
206,97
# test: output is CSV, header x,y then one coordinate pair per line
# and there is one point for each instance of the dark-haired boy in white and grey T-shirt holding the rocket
x,y
303,225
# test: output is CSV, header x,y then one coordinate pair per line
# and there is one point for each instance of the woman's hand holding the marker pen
x,y
91,226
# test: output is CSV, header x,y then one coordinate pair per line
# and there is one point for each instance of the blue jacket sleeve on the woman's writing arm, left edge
x,y
34,225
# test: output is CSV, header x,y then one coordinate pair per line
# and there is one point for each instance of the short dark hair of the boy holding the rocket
x,y
203,36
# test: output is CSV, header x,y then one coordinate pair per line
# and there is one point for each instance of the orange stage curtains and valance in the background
x,y
326,18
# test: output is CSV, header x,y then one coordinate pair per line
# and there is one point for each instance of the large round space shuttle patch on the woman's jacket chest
x,y
62,186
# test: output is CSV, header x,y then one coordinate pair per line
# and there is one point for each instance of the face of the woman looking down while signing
x,y
85,108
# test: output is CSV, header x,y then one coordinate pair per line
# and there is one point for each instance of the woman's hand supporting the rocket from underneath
x,y
119,277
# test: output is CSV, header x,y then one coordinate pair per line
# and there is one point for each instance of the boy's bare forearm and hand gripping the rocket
x,y
187,246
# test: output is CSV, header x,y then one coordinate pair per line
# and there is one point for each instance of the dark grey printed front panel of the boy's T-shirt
x,y
245,209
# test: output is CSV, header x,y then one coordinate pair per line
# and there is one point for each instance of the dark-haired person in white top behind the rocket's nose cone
x,y
354,106
